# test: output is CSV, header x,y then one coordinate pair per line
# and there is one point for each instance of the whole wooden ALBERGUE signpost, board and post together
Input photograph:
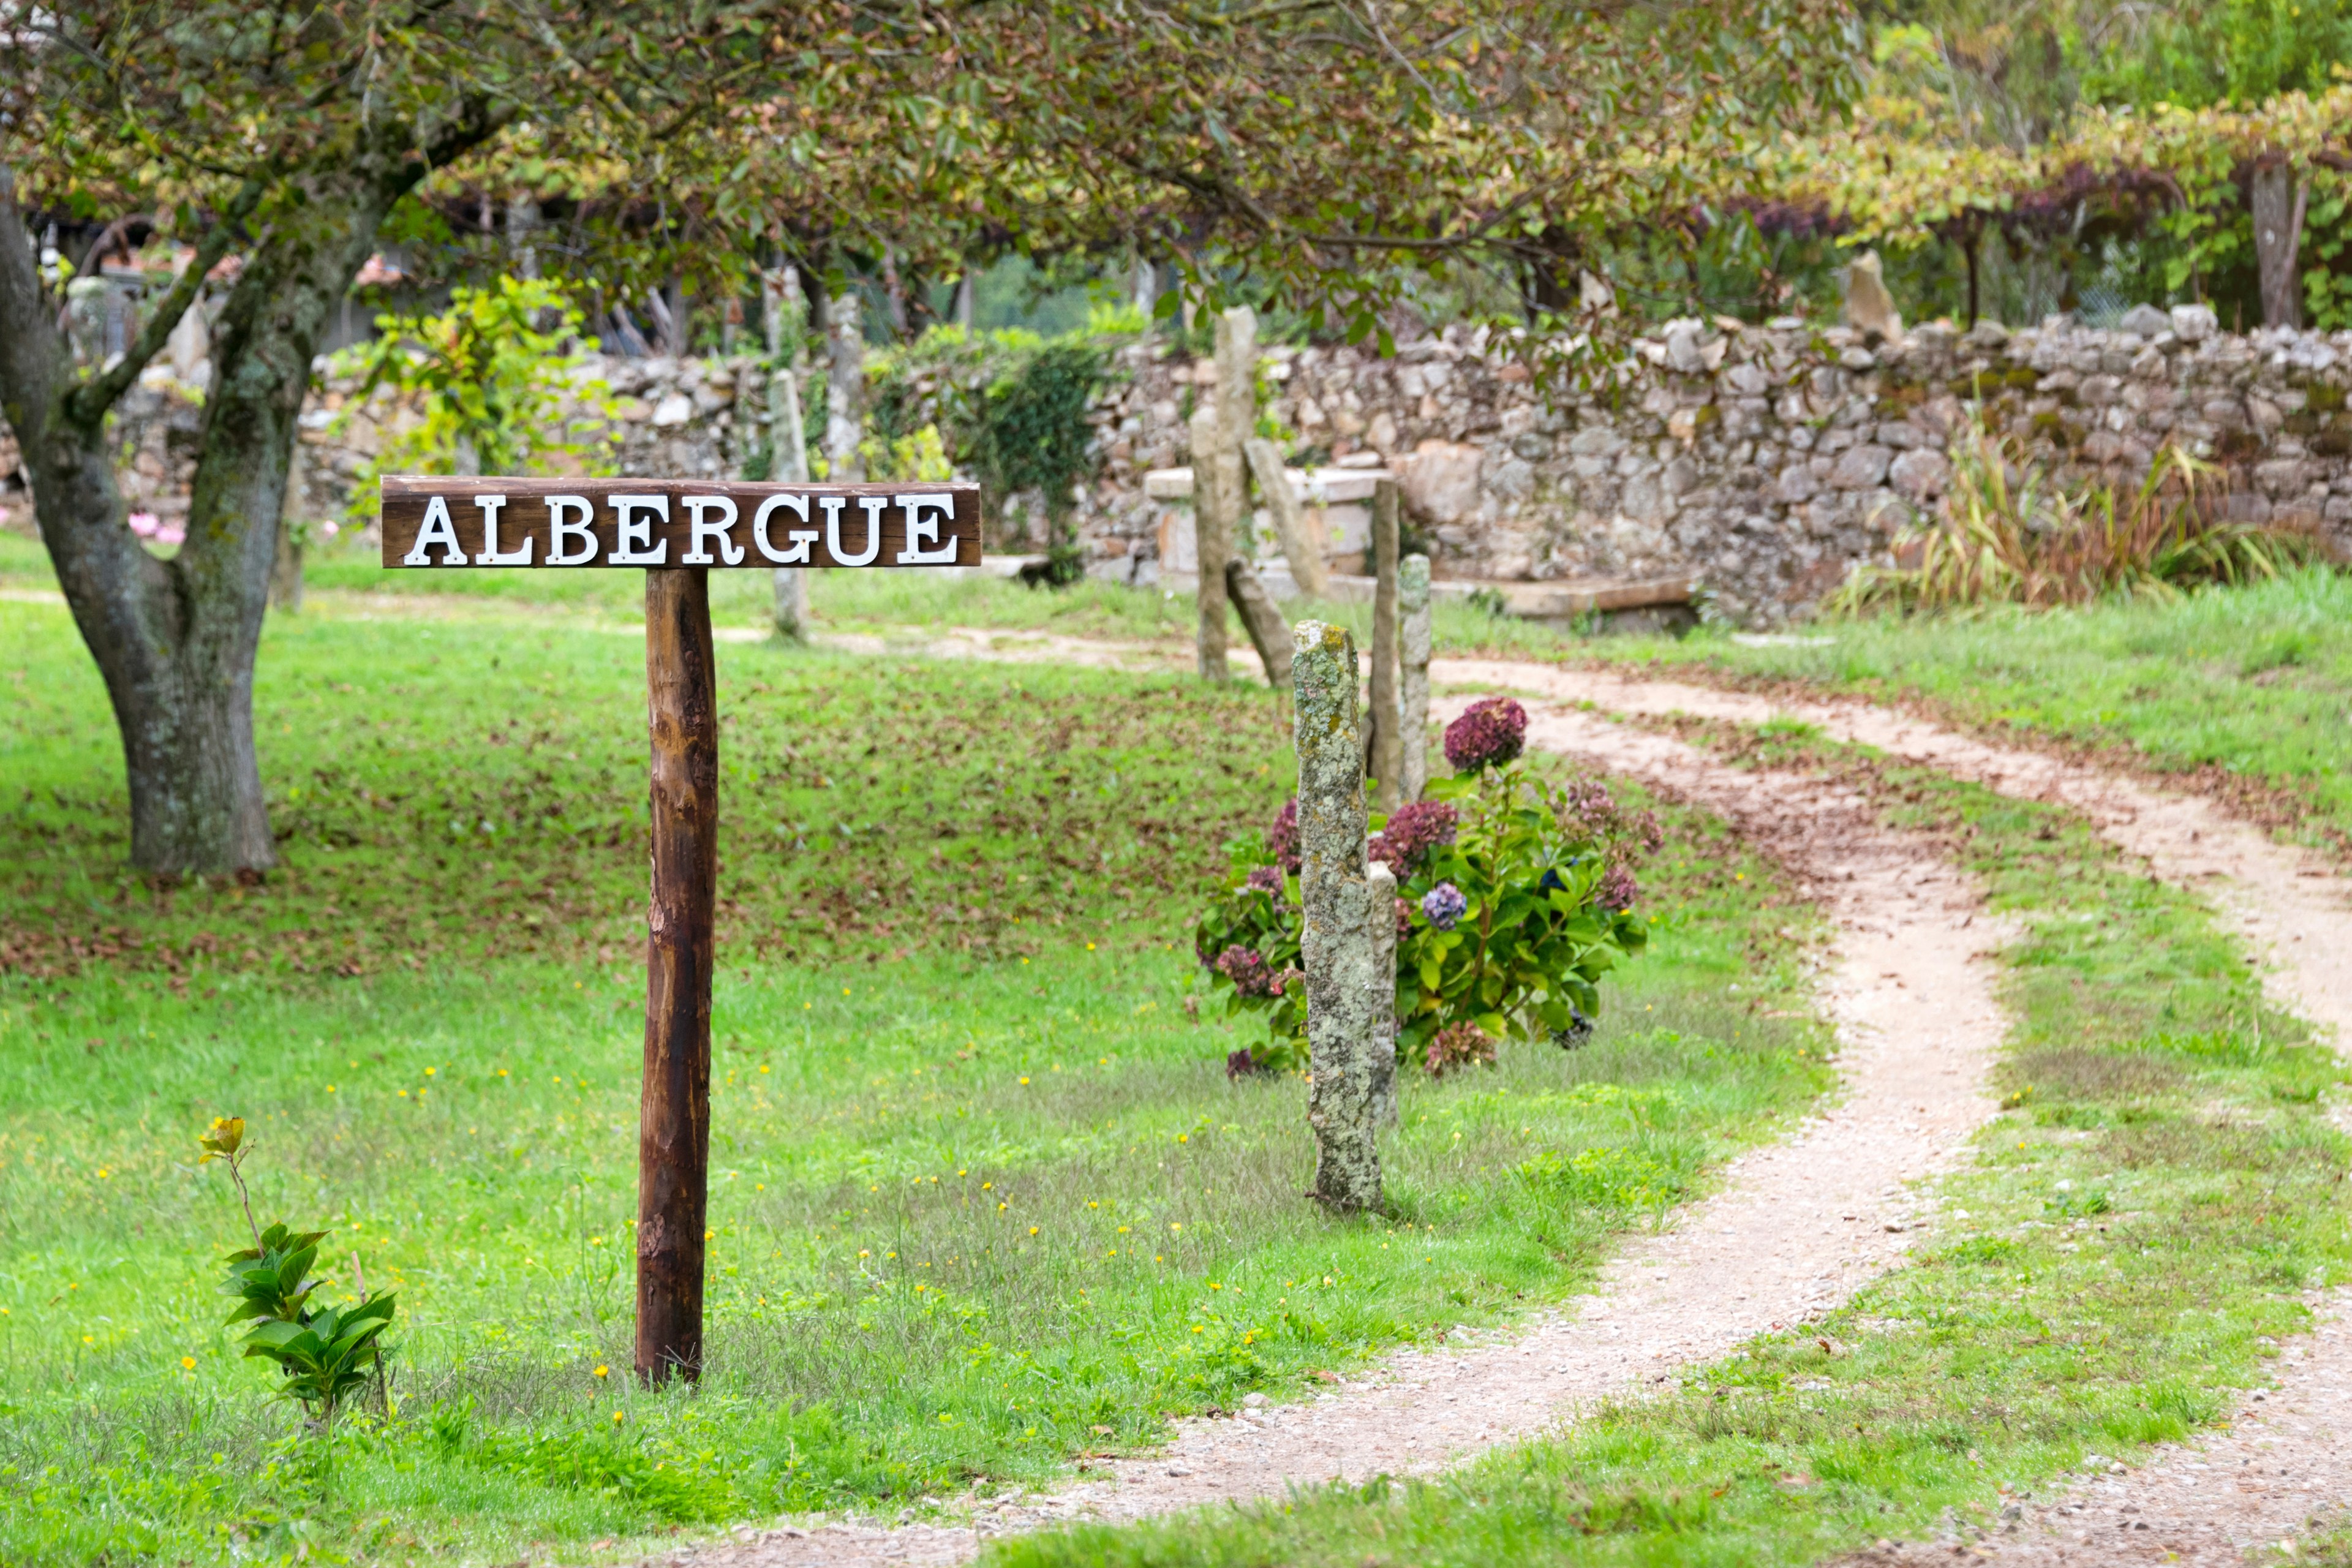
x,y
679,530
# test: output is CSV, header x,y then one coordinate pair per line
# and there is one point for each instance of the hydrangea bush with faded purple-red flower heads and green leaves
x,y
1516,899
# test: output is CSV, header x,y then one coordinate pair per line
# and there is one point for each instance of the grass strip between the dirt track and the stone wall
x,y
2247,683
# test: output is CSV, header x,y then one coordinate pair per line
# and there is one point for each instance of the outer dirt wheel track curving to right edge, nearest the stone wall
x,y
2290,904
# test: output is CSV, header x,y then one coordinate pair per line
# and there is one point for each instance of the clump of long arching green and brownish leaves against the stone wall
x,y
2010,535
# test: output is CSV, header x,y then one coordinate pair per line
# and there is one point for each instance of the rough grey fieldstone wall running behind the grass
x,y
1758,462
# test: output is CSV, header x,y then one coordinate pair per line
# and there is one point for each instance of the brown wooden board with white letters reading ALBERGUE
x,y
676,523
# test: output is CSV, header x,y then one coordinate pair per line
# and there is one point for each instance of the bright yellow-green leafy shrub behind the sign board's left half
x,y
490,375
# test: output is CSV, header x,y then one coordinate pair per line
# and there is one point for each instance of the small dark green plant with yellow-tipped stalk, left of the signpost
x,y
326,1355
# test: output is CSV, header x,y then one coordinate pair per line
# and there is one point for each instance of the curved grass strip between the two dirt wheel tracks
x,y
2127,1247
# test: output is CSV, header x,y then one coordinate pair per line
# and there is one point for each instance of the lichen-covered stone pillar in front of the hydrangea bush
x,y
1337,946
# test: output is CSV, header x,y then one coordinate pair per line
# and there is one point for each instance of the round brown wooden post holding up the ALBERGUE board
x,y
674,1123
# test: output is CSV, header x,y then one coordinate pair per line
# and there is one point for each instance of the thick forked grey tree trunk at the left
x,y
175,641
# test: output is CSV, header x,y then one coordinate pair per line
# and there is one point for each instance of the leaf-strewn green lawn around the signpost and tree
x,y
982,1193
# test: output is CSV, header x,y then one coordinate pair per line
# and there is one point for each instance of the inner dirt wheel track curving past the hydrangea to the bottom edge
x,y
1793,1231
